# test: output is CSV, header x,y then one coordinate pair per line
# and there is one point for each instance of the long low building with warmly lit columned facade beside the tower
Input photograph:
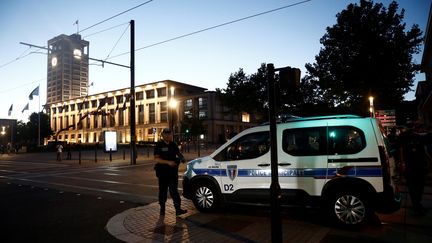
x,y
157,105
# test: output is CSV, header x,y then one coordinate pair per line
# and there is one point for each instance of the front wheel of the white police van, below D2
x,y
205,197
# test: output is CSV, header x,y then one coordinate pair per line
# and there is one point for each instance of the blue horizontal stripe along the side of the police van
x,y
358,171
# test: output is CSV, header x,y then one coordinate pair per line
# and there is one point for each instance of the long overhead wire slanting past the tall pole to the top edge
x,y
214,27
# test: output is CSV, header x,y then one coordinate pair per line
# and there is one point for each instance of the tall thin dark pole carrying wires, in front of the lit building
x,y
132,96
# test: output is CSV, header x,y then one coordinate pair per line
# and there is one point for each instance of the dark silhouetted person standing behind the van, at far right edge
x,y
413,160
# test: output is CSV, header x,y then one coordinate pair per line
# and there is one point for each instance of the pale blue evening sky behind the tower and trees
x,y
289,37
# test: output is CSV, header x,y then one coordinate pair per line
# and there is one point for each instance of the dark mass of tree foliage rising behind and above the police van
x,y
368,52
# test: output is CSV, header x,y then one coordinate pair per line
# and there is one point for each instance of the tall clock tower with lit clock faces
x,y
67,76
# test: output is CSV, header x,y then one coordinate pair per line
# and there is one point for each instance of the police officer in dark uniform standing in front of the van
x,y
168,157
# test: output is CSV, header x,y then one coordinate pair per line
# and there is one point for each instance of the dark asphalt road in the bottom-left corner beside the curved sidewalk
x,y
37,214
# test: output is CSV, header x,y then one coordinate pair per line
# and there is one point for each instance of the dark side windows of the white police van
x,y
336,140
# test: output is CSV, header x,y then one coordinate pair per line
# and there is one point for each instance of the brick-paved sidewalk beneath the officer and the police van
x,y
144,224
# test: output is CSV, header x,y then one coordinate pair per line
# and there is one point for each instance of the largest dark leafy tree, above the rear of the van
x,y
367,52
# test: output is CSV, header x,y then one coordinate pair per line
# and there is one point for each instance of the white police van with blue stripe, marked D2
x,y
342,162
